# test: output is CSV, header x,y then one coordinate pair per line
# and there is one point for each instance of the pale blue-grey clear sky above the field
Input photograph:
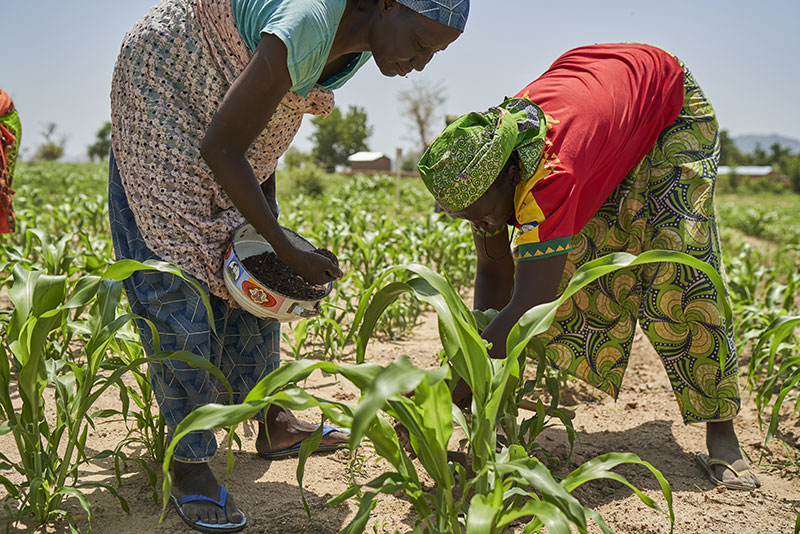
x,y
59,57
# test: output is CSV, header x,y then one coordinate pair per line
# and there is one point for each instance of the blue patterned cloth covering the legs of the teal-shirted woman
x,y
245,347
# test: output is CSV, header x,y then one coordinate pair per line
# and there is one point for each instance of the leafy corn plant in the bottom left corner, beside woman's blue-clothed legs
x,y
51,452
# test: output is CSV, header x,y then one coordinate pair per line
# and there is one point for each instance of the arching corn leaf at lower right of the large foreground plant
x,y
601,466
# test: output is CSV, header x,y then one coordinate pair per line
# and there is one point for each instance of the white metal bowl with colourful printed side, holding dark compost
x,y
256,296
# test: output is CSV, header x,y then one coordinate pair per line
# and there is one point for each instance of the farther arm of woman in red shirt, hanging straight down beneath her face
x,y
494,279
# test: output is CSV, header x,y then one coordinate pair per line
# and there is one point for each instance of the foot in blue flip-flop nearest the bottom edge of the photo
x,y
197,478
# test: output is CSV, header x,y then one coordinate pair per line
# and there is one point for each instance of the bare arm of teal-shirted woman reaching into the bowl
x,y
243,114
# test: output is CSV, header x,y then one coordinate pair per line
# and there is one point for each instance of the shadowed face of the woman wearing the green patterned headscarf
x,y
496,206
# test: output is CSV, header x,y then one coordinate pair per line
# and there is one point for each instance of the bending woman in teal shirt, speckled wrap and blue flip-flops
x,y
206,95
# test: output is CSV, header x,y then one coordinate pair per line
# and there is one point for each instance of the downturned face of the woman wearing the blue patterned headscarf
x,y
402,40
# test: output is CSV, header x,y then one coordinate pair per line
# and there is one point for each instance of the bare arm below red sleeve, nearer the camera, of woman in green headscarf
x,y
535,282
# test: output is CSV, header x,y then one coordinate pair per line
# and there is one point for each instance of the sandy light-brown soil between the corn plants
x,y
644,421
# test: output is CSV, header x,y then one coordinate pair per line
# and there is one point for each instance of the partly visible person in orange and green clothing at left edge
x,y
10,134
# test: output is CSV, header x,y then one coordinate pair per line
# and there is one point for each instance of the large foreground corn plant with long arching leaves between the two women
x,y
503,484
